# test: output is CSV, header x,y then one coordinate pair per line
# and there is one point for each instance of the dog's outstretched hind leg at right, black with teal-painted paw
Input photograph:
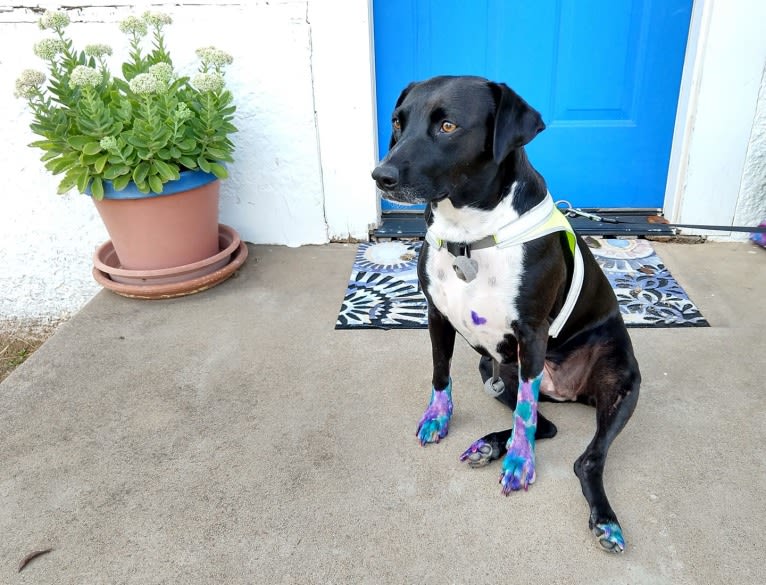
x,y
614,405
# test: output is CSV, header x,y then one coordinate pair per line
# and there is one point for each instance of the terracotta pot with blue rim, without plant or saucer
x,y
175,228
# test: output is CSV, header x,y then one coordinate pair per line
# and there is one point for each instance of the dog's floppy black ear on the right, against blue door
x,y
516,122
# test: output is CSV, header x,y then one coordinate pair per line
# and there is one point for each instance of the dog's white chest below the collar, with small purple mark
x,y
482,310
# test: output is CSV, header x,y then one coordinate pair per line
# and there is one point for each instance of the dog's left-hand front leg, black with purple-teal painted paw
x,y
434,424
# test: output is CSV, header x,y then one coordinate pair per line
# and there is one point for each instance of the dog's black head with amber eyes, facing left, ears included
x,y
451,137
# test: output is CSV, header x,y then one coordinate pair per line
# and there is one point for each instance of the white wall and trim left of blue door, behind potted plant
x,y
303,156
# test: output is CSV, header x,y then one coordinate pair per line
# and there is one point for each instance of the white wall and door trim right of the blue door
x,y
717,164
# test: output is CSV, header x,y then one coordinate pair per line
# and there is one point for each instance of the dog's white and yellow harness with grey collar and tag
x,y
543,219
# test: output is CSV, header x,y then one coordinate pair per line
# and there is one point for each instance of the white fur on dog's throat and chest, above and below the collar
x,y
481,310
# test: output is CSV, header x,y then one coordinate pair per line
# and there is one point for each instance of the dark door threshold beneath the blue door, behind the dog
x,y
633,223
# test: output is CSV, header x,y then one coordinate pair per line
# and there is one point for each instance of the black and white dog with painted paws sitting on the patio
x,y
501,266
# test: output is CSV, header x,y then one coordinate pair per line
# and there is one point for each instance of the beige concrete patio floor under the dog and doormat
x,y
235,437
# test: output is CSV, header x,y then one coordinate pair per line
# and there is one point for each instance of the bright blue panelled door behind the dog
x,y
604,74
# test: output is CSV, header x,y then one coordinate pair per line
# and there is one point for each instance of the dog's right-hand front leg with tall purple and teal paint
x,y
519,463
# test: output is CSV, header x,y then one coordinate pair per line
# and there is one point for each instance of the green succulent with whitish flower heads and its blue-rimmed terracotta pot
x,y
149,146
